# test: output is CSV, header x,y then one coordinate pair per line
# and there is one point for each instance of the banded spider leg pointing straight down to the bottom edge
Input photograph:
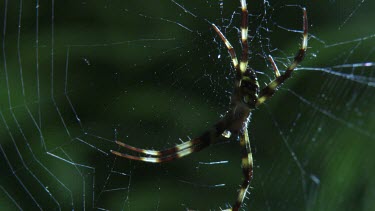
x,y
247,169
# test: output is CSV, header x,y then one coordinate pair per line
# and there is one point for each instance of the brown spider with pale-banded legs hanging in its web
x,y
246,97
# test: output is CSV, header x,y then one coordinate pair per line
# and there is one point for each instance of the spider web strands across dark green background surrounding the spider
x,y
75,76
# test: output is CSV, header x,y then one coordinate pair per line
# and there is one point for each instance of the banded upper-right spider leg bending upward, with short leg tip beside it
x,y
270,89
